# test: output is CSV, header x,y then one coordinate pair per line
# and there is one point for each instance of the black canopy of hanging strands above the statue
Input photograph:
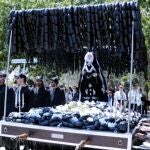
x,y
61,34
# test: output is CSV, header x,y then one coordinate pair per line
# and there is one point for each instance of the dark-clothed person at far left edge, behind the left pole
x,y
10,96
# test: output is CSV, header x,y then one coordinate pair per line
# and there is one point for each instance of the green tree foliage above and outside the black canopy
x,y
7,5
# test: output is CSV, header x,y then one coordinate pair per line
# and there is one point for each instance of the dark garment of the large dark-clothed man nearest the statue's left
x,y
59,97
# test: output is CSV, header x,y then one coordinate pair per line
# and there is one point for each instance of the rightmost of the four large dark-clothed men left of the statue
x,y
57,95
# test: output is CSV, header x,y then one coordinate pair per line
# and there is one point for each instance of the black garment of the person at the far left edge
x,y
10,99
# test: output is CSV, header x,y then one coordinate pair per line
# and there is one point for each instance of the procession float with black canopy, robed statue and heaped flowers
x,y
110,36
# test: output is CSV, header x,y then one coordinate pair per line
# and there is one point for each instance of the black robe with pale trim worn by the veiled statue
x,y
92,85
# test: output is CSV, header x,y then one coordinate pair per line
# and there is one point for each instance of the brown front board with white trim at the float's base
x,y
67,136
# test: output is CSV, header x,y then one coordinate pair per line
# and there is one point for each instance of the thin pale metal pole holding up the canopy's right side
x,y
131,76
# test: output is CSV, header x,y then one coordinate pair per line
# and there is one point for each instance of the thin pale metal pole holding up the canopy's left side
x,y
7,74
